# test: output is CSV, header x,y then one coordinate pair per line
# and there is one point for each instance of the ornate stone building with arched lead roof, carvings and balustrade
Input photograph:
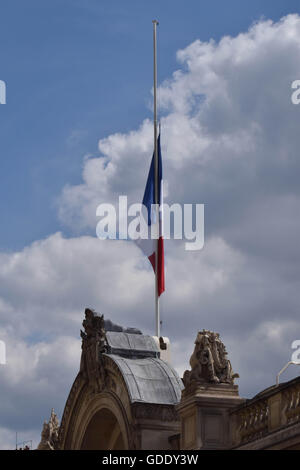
x,y
127,396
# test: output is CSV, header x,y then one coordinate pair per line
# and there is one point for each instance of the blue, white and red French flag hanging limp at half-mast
x,y
148,246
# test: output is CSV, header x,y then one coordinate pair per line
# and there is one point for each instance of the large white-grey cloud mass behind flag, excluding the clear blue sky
x,y
230,140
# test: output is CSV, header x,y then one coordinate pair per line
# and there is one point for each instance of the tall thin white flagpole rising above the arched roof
x,y
157,316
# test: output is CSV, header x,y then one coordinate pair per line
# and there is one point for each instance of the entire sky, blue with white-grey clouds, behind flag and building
x,y
79,78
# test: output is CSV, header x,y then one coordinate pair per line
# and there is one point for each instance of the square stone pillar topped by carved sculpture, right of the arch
x,y
208,396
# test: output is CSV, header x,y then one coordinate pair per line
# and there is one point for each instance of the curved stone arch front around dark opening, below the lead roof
x,y
90,408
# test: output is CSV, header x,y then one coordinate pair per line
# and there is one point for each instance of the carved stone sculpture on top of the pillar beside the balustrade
x,y
209,361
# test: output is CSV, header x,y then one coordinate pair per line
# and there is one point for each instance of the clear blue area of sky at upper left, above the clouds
x,y
77,71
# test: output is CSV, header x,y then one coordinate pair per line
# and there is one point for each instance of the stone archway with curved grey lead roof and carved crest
x,y
124,395
